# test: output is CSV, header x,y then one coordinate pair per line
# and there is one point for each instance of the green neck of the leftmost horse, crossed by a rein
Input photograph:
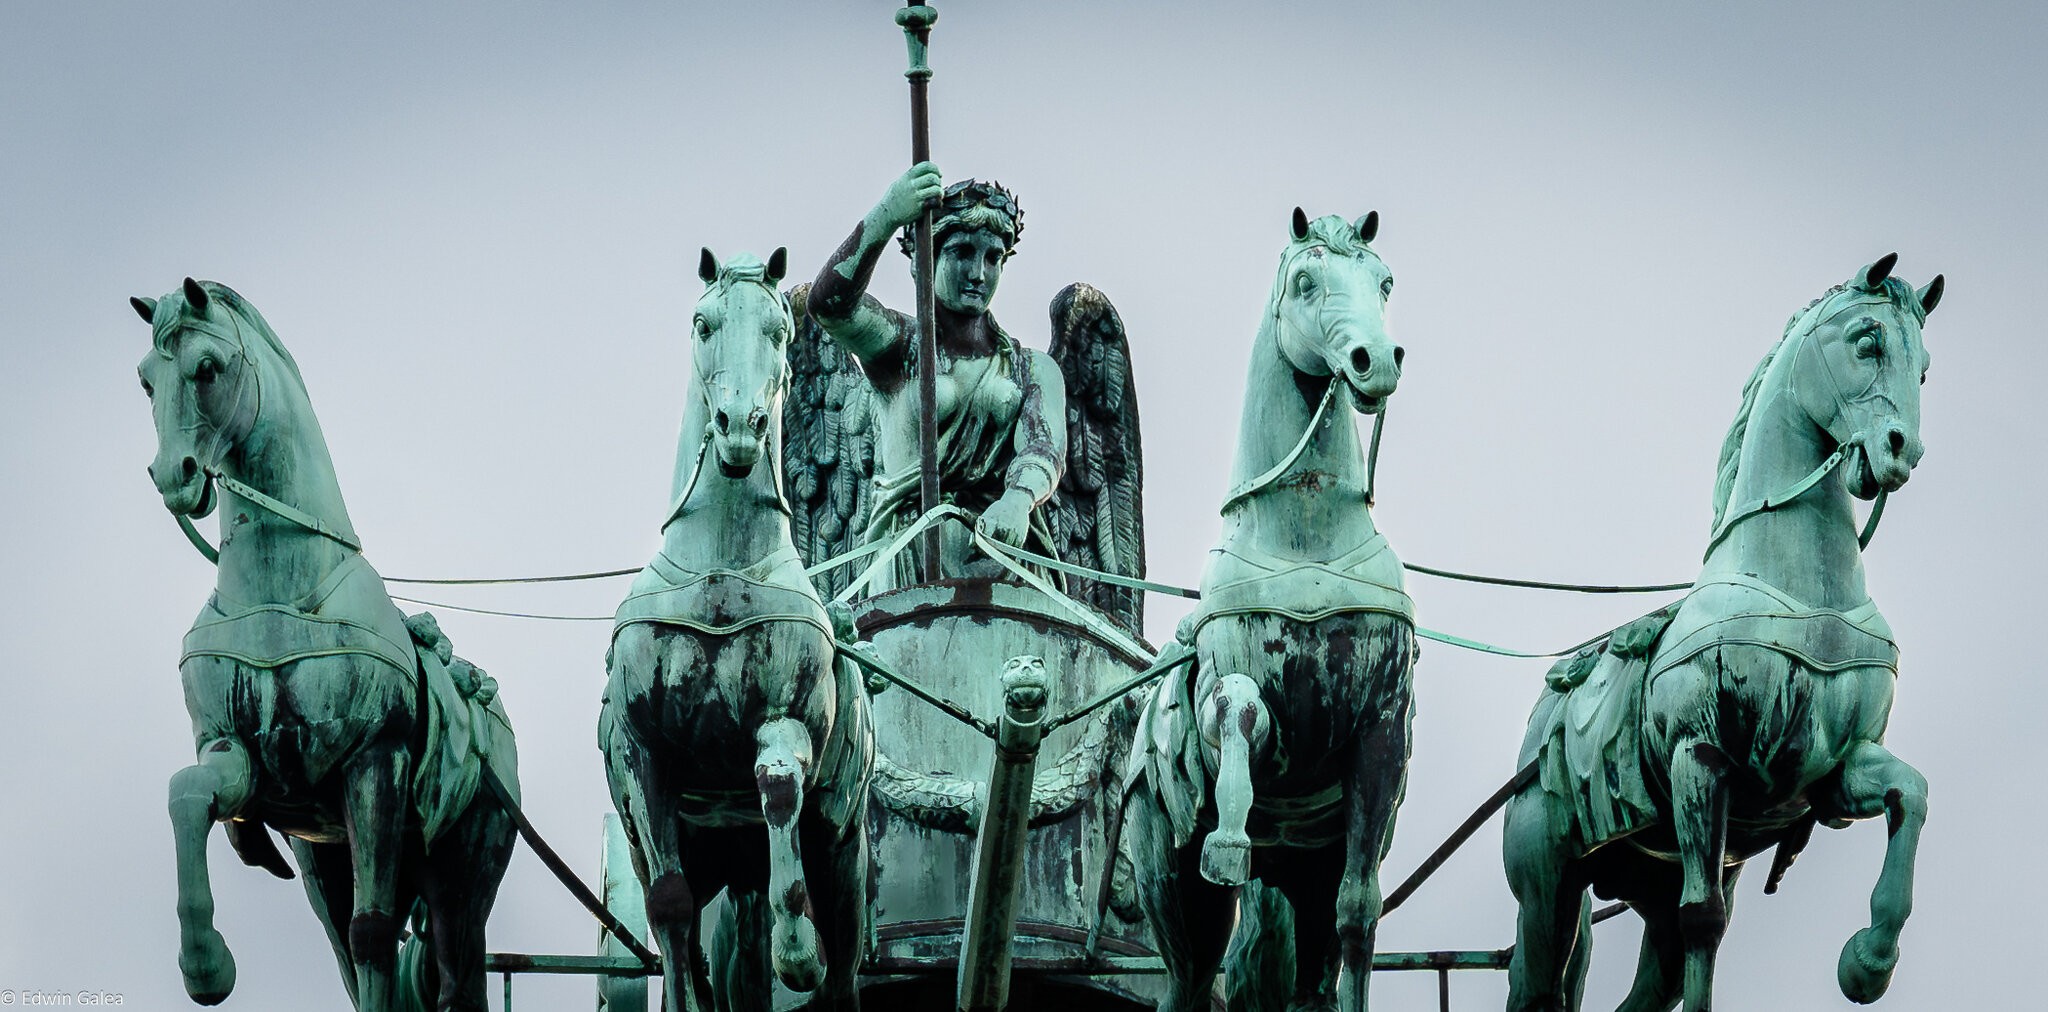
x,y
267,558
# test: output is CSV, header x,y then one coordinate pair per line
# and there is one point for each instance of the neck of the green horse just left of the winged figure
x,y
728,523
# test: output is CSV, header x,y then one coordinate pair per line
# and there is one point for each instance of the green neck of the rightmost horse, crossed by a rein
x,y
1805,548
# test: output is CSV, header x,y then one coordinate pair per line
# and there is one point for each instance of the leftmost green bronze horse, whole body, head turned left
x,y
318,708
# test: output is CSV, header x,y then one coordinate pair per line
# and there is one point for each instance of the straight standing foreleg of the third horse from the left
x,y
1379,775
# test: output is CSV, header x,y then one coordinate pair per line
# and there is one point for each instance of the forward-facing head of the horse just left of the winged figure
x,y
742,329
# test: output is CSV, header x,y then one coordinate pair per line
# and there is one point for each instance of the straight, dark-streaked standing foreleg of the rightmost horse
x,y
1701,820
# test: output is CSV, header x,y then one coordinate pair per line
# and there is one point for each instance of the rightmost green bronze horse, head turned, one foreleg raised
x,y
1752,712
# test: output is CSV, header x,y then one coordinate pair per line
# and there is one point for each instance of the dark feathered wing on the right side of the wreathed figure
x,y
1099,513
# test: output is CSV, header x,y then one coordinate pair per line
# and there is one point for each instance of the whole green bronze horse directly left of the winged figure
x,y
738,743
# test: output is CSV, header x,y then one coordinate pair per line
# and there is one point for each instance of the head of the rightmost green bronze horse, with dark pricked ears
x,y
1859,372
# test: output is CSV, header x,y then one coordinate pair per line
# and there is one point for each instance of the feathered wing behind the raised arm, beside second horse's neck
x,y
828,446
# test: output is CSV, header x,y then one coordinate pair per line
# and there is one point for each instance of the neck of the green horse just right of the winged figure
x,y
1320,499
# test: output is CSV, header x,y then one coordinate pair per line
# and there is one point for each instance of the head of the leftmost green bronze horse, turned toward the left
x,y
204,386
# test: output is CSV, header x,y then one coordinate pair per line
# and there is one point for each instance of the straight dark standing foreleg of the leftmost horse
x,y
376,816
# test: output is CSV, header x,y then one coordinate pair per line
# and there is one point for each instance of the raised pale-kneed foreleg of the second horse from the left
x,y
781,767
